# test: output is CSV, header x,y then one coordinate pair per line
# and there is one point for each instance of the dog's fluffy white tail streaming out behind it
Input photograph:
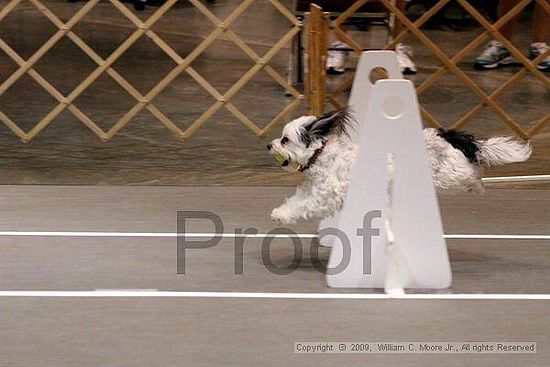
x,y
502,150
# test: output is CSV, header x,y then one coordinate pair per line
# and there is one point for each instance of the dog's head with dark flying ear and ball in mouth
x,y
303,136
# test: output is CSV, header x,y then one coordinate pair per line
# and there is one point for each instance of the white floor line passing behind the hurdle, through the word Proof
x,y
258,235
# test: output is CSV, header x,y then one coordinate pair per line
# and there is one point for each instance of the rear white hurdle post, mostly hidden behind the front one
x,y
360,93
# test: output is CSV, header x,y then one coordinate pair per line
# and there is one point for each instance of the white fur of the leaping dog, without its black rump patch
x,y
325,185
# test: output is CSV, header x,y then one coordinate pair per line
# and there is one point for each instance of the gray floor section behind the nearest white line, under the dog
x,y
88,263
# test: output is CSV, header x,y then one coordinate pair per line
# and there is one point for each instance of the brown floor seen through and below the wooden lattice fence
x,y
223,152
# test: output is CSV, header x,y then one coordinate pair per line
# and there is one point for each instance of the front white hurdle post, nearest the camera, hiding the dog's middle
x,y
403,248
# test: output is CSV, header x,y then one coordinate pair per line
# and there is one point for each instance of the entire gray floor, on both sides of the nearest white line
x,y
237,332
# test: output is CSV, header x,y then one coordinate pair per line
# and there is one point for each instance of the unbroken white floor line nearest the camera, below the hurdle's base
x,y
174,294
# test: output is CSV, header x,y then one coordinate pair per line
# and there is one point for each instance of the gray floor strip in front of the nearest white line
x,y
205,332
